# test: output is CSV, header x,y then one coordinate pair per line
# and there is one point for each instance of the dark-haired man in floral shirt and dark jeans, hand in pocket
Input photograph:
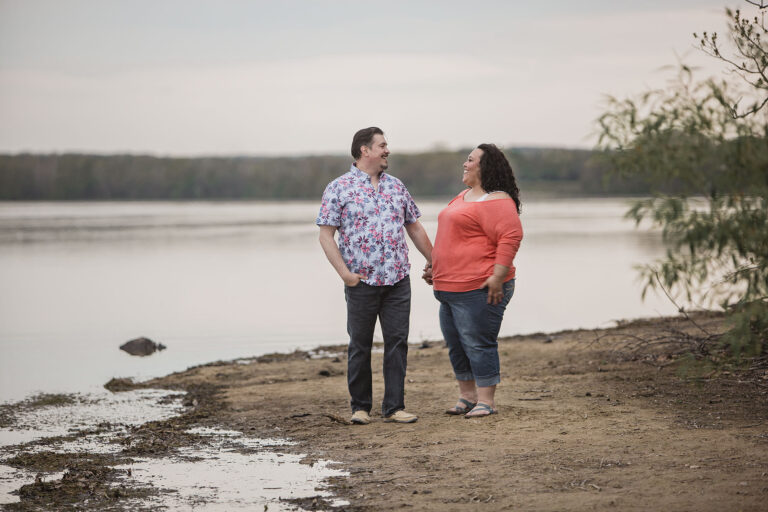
x,y
369,209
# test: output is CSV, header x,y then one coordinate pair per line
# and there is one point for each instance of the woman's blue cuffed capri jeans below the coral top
x,y
471,327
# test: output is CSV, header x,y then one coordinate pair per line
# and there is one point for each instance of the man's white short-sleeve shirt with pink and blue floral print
x,y
371,235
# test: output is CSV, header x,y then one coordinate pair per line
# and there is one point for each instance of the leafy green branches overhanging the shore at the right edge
x,y
702,146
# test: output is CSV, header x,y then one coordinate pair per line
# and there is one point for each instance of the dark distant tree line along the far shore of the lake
x,y
133,177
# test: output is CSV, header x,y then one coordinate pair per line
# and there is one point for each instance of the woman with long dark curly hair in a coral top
x,y
473,275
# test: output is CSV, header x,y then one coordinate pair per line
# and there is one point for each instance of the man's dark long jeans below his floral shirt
x,y
392,305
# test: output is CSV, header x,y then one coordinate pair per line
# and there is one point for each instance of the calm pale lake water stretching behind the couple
x,y
226,280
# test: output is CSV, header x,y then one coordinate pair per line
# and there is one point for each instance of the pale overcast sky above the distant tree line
x,y
226,77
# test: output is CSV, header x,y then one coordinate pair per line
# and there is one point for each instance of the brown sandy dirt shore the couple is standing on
x,y
586,422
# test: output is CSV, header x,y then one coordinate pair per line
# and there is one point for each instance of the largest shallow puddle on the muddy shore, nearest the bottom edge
x,y
222,478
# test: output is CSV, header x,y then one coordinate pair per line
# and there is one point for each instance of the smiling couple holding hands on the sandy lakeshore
x,y
470,268
